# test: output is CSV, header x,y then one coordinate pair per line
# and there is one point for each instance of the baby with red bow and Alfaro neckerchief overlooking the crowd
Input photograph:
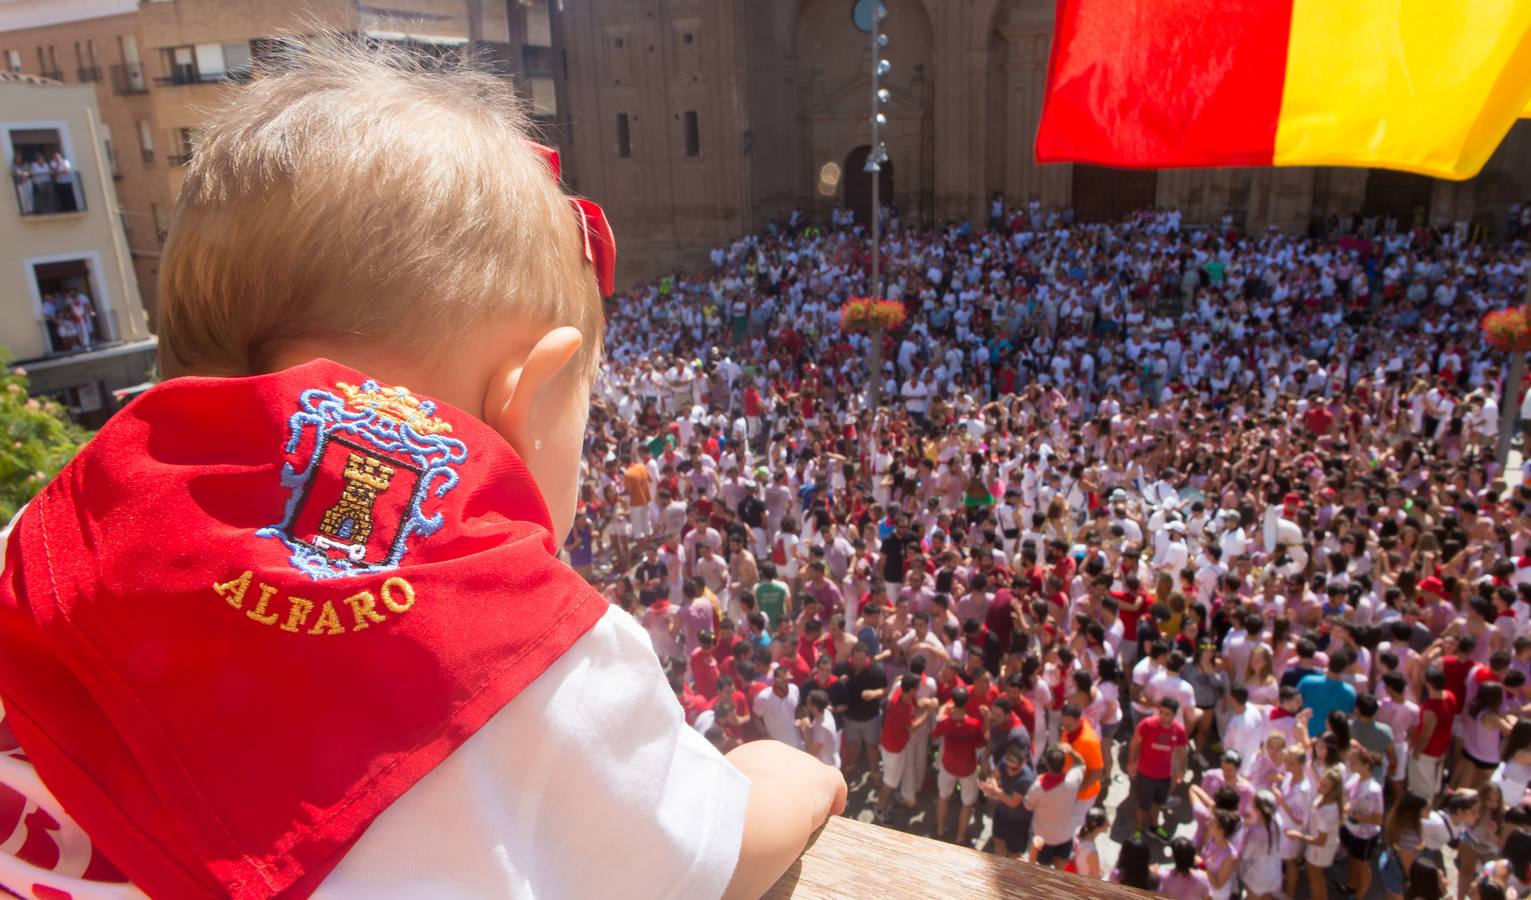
x,y
293,622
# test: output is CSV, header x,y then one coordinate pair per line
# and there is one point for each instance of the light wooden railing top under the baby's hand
x,y
855,859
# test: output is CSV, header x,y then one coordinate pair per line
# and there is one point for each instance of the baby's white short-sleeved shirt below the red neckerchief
x,y
589,755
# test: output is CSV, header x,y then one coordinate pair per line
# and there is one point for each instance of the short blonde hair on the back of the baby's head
x,y
370,195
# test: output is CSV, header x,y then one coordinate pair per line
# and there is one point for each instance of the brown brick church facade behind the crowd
x,y
693,120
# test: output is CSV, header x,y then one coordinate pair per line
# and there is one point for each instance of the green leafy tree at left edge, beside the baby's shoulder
x,y
38,439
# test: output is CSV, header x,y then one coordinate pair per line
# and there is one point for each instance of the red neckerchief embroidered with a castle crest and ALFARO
x,y
255,611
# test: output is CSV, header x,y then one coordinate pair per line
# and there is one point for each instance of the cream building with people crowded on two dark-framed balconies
x,y
70,305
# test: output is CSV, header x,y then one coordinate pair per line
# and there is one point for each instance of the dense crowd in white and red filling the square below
x,y
1207,514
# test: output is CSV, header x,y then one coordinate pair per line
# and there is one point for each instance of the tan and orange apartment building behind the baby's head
x,y
157,67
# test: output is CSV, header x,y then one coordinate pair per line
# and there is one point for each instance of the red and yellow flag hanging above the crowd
x,y
1426,86
